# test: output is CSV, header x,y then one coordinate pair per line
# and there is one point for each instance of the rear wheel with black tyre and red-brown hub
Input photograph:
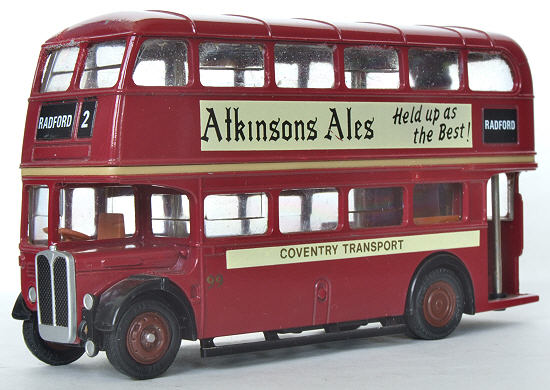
x,y
437,305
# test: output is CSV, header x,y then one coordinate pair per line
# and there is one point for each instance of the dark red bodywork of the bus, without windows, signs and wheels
x,y
160,126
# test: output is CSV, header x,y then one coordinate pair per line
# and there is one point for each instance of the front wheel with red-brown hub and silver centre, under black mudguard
x,y
145,341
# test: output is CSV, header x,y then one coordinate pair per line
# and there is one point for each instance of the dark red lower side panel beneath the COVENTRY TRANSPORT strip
x,y
291,296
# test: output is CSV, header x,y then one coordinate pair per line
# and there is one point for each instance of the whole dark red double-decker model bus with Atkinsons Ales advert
x,y
191,178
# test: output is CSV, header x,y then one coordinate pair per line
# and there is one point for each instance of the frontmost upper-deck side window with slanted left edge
x,y
161,62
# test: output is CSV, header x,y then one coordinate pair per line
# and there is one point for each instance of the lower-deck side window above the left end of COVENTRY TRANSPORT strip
x,y
235,214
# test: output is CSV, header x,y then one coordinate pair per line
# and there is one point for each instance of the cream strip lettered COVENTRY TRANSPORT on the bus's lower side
x,y
337,250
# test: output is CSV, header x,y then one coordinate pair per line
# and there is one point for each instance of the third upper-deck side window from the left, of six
x,y
304,66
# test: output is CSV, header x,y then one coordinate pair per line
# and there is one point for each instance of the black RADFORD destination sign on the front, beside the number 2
x,y
55,121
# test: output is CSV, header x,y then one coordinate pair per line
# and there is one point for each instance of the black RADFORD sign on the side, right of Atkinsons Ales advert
x,y
500,126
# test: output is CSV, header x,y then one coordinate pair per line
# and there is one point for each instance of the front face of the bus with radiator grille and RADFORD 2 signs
x,y
71,119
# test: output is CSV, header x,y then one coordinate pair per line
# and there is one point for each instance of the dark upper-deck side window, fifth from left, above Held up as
x,y
433,69
